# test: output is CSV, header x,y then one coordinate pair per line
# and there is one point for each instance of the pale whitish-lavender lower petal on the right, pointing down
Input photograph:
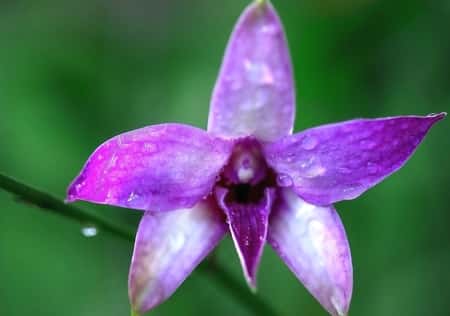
x,y
312,242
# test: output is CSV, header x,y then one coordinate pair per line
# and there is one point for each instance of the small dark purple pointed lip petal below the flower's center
x,y
248,224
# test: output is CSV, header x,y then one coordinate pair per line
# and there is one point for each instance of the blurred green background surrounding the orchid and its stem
x,y
74,73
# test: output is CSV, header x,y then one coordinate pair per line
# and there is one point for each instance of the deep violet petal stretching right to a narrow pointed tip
x,y
338,162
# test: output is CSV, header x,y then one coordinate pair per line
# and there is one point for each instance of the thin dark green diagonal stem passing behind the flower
x,y
254,304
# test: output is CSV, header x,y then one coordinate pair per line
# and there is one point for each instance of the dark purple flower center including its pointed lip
x,y
245,193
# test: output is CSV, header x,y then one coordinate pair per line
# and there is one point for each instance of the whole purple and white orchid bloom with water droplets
x,y
247,175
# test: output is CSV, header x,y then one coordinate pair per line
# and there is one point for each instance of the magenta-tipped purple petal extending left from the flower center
x,y
161,167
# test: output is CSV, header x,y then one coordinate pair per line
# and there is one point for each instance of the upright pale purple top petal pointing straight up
x,y
254,93
